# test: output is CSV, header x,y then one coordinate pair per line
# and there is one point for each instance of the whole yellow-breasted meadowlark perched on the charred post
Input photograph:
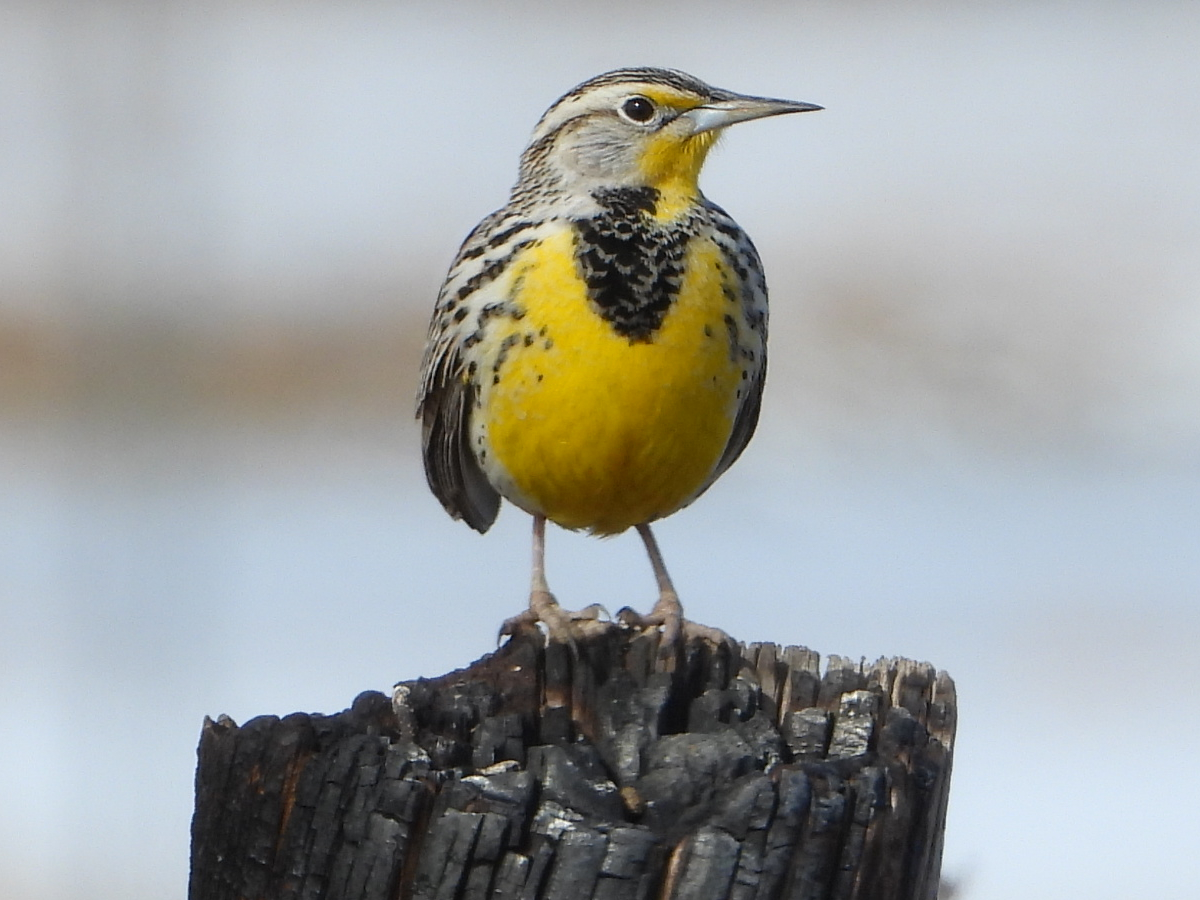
x,y
598,352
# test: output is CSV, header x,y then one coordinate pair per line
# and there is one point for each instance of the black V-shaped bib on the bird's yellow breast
x,y
632,265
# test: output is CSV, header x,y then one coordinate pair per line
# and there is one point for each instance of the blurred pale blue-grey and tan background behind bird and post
x,y
223,227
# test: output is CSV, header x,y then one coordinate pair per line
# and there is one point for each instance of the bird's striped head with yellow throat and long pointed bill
x,y
637,128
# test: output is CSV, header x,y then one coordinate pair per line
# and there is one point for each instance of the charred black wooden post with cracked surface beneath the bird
x,y
729,773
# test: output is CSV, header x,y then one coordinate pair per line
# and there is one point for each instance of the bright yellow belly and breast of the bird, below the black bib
x,y
596,431
